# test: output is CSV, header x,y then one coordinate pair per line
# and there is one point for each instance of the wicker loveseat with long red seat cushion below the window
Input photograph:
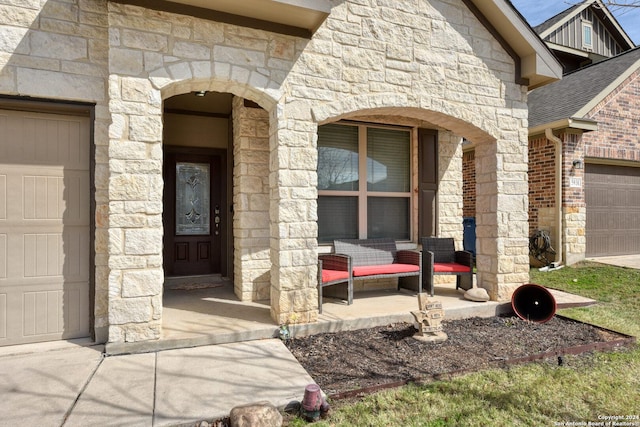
x,y
368,259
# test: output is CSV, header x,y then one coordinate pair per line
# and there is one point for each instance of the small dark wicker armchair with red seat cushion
x,y
440,257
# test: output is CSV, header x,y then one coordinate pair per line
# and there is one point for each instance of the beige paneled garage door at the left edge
x,y
44,227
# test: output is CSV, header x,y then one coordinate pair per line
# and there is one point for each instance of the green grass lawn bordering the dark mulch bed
x,y
585,389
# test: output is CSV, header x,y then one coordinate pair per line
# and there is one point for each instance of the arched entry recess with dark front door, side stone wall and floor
x,y
215,217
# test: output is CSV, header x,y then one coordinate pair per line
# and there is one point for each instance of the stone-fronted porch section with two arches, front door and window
x,y
388,122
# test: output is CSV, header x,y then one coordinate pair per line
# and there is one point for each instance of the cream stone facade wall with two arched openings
x,y
429,61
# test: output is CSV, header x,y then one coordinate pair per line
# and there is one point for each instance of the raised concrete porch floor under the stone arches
x,y
197,317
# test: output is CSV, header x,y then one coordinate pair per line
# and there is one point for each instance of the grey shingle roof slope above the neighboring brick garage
x,y
564,98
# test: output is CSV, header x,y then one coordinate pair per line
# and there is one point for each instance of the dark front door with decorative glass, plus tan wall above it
x,y
196,215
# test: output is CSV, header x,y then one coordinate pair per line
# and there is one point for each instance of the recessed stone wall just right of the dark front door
x,y
252,265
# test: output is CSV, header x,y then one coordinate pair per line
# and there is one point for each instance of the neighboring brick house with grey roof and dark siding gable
x,y
595,167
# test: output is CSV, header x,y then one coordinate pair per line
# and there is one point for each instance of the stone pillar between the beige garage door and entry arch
x,y
135,211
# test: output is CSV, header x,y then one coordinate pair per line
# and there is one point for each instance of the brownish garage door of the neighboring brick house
x,y
612,195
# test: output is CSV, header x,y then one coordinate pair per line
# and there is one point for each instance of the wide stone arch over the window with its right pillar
x,y
502,191
